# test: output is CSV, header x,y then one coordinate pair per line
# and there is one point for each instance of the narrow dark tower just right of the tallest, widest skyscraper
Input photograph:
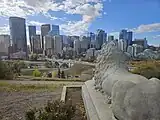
x,y
32,32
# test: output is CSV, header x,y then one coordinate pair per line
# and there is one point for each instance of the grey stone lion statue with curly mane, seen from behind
x,y
132,97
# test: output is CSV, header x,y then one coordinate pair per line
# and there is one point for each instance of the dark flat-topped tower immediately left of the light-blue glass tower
x,y
44,31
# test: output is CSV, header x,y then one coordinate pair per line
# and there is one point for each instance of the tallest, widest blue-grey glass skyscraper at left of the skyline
x,y
18,34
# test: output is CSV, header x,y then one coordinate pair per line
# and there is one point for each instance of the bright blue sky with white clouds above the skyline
x,y
76,17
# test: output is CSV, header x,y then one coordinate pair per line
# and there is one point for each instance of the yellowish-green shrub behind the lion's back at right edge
x,y
148,69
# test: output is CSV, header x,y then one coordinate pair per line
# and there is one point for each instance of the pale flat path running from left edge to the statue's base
x,y
40,82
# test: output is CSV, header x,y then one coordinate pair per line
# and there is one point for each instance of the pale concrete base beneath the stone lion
x,y
94,102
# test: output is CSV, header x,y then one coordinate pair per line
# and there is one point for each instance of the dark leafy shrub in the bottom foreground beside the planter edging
x,y
53,111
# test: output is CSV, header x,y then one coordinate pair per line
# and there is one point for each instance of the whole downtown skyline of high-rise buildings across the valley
x,y
51,43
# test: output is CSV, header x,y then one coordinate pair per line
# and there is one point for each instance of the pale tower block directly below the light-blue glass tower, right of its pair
x,y
58,44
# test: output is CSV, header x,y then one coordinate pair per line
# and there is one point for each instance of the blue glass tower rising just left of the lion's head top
x,y
100,38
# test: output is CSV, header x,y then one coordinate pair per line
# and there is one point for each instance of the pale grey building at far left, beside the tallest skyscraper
x,y
4,43
